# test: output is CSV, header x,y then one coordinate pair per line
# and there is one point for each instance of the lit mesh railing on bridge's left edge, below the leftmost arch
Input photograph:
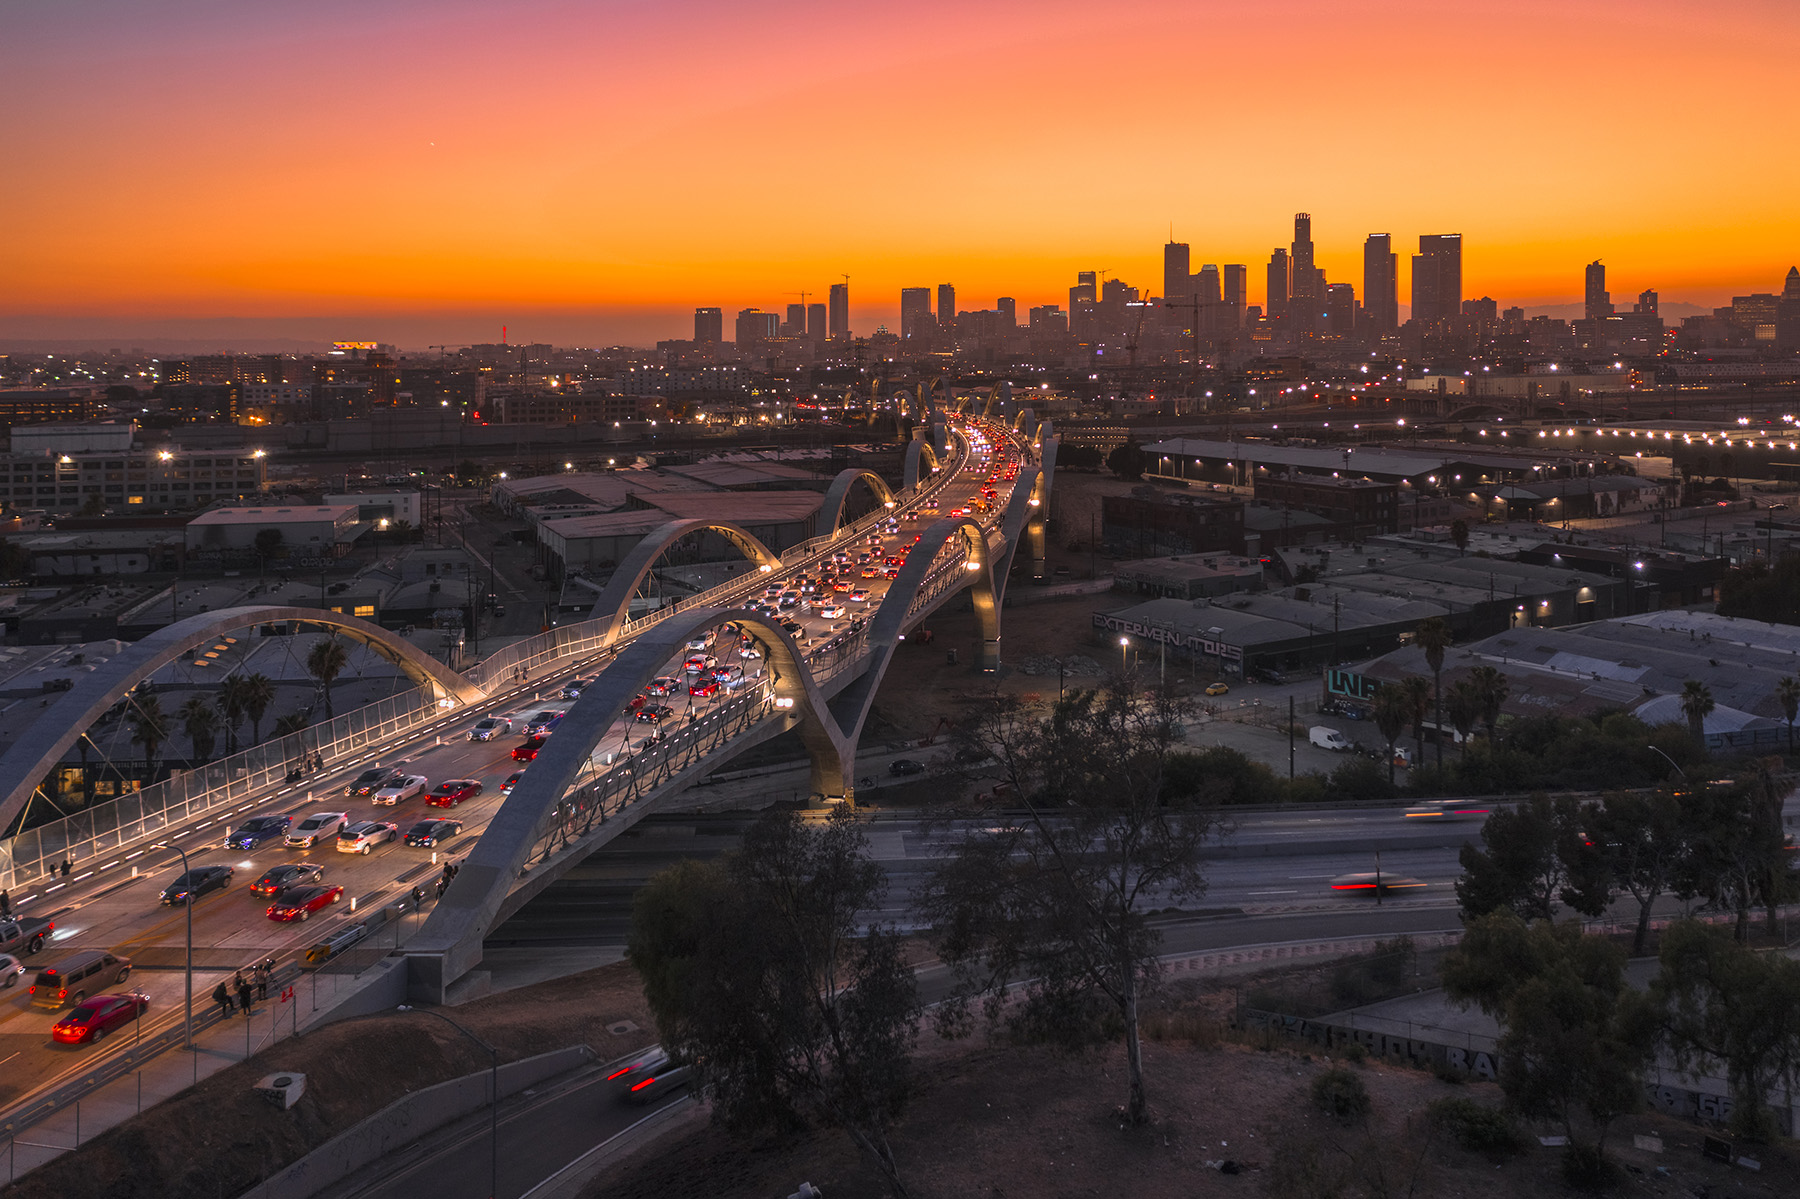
x,y
93,836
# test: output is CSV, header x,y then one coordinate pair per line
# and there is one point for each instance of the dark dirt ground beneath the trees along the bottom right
x,y
1000,1122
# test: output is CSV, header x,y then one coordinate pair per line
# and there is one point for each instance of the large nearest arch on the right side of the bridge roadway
x,y
449,946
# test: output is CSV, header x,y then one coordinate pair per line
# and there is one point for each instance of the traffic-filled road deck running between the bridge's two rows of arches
x,y
114,905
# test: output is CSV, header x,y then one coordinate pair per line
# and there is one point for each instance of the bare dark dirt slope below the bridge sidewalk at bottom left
x,y
220,1140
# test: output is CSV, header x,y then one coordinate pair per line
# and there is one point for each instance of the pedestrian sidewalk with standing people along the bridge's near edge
x,y
219,1043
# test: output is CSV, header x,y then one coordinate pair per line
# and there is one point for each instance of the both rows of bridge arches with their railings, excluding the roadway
x,y
600,773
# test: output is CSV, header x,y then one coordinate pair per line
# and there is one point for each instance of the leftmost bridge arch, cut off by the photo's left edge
x,y
24,766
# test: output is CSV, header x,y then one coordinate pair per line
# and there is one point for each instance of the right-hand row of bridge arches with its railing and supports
x,y
595,780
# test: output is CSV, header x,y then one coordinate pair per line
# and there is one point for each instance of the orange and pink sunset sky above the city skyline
x,y
427,170
